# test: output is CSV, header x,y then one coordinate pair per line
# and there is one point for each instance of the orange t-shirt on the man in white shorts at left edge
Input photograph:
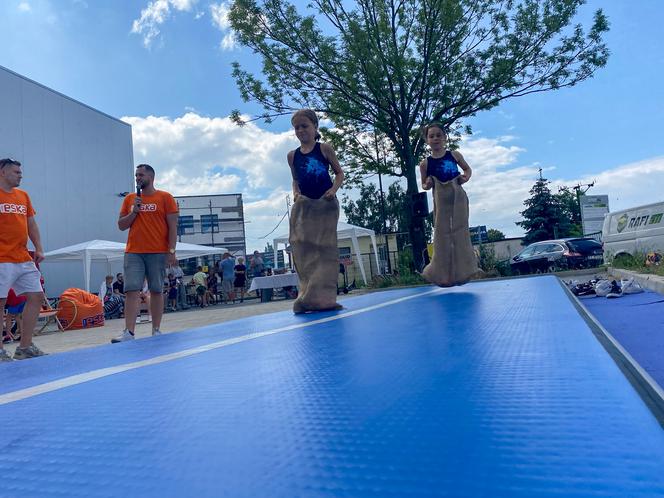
x,y
15,209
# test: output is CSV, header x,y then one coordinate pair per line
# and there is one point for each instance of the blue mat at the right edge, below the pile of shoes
x,y
637,323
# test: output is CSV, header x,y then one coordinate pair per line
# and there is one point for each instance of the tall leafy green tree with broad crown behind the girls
x,y
383,67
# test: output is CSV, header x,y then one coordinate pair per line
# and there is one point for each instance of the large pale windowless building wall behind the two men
x,y
76,161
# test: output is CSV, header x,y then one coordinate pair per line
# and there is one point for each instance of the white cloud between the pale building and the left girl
x,y
195,154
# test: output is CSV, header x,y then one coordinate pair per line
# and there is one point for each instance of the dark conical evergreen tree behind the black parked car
x,y
544,217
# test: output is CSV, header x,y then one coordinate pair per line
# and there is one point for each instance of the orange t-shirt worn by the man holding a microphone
x,y
149,231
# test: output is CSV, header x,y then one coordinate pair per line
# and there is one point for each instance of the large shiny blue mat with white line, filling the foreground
x,y
491,389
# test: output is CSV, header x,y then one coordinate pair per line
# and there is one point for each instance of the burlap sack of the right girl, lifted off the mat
x,y
453,261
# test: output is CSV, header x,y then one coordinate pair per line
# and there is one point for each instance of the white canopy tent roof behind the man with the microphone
x,y
108,251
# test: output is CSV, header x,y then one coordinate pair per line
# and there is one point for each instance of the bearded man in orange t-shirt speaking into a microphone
x,y
152,220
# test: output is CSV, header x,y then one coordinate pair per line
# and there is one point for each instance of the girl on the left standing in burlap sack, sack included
x,y
314,216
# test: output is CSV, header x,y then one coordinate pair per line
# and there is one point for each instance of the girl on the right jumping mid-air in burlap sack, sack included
x,y
453,261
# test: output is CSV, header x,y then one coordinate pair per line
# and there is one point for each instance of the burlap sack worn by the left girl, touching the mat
x,y
313,241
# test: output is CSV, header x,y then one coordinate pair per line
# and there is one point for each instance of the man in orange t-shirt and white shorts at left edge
x,y
17,267
